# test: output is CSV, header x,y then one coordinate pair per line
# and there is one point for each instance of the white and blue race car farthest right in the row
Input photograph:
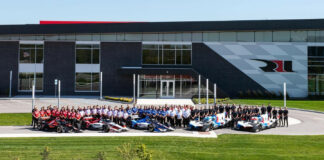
x,y
256,124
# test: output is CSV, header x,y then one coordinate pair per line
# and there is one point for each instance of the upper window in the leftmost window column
x,y
31,53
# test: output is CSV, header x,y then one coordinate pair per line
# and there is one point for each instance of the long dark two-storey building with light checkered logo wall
x,y
166,57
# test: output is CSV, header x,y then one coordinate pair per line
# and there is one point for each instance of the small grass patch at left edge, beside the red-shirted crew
x,y
15,119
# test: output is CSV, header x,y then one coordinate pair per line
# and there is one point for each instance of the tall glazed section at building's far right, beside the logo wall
x,y
316,70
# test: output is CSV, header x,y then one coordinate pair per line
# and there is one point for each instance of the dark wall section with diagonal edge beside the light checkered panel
x,y
227,77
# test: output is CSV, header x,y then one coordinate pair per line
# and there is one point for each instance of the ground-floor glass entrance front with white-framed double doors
x,y
168,86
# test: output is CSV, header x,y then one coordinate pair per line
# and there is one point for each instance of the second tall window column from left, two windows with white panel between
x,y
85,80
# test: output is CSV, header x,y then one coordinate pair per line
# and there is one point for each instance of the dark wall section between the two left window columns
x,y
59,62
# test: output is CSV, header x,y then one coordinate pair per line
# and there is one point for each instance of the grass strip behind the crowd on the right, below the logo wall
x,y
302,104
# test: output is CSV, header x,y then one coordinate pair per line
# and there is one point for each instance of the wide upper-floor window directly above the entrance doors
x,y
166,54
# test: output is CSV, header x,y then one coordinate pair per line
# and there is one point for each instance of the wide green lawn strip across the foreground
x,y
224,147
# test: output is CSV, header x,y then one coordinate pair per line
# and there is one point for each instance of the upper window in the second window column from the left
x,y
87,54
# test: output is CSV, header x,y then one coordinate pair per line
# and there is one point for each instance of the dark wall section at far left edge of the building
x,y
8,61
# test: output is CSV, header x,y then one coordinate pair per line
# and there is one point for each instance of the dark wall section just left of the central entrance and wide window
x,y
114,55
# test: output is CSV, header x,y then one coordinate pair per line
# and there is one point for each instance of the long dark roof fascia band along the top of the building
x,y
185,26
